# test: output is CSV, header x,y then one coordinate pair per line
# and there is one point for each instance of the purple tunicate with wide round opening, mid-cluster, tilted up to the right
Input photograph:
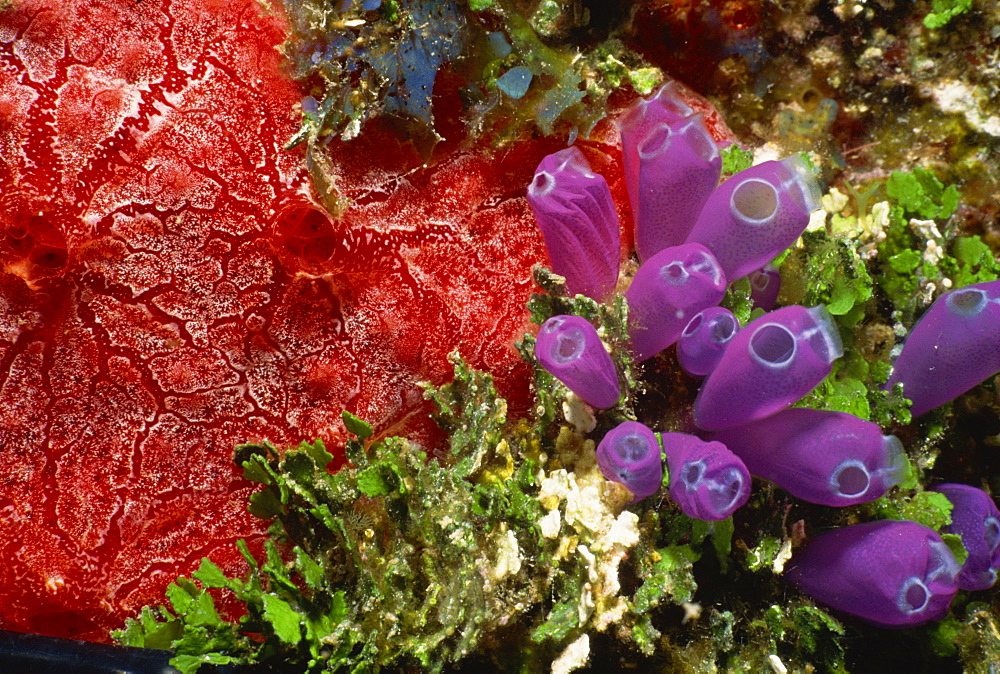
x,y
770,364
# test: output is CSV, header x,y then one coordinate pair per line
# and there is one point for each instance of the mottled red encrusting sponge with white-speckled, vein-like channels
x,y
162,300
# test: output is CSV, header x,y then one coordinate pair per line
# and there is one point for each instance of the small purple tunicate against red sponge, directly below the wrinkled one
x,y
572,352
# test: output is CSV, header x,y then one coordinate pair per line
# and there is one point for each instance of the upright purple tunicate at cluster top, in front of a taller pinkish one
x,y
679,167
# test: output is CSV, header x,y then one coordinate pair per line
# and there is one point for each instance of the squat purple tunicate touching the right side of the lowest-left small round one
x,y
707,481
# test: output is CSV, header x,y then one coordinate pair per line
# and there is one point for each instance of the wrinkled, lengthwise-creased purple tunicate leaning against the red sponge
x,y
575,212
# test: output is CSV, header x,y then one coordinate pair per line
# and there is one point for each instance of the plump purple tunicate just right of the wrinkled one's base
x,y
668,289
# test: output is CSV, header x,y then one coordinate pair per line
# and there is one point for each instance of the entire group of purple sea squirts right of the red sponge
x,y
693,236
